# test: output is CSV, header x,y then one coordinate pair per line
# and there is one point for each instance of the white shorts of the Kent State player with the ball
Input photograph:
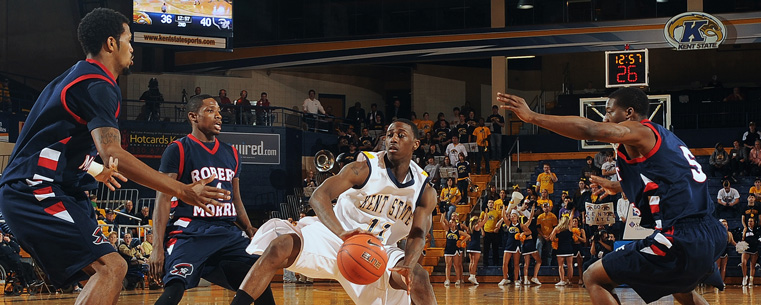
x,y
317,259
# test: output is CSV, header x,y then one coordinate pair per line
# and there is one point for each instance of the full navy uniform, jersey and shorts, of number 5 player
x,y
668,187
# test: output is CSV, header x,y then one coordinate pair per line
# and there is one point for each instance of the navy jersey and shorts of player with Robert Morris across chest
x,y
197,243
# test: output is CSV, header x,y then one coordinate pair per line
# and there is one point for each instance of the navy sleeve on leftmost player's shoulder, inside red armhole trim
x,y
96,102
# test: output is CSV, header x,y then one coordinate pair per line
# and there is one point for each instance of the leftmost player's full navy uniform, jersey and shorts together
x,y
42,195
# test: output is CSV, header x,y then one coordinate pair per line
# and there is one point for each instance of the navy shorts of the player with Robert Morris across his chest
x,y
214,250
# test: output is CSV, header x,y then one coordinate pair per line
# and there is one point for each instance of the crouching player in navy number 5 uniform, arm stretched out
x,y
665,183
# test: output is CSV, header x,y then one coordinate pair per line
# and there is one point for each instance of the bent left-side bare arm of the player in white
x,y
355,173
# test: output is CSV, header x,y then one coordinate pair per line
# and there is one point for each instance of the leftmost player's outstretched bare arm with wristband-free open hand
x,y
108,143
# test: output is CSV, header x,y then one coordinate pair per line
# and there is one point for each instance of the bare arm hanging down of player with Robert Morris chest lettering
x,y
160,218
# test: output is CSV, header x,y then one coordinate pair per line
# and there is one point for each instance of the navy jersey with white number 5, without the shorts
x,y
667,183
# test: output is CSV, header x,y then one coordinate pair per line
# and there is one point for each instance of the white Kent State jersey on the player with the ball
x,y
383,205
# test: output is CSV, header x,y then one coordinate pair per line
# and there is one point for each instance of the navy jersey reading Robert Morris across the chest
x,y
193,160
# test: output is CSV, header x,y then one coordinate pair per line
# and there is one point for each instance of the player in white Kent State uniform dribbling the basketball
x,y
384,194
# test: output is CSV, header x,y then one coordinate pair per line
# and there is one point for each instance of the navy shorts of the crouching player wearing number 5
x,y
654,269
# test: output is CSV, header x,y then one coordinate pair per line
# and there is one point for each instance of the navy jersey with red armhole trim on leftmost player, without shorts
x,y
55,145
